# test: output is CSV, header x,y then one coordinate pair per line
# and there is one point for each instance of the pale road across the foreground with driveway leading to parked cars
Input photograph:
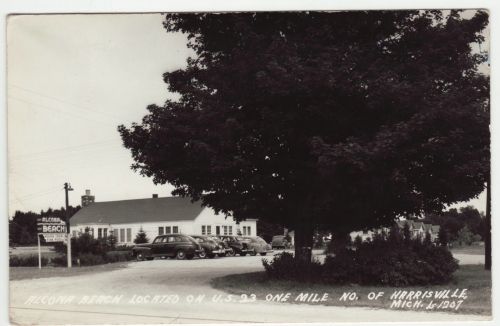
x,y
181,279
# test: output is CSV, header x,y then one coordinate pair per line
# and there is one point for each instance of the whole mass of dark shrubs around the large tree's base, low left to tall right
x,y
391,259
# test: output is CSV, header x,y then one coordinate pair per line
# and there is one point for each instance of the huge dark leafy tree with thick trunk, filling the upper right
x,y
311,119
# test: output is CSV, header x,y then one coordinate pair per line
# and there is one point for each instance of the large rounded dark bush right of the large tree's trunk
x,y
391,261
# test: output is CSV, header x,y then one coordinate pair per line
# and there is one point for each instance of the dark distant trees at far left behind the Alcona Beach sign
x,y
23,228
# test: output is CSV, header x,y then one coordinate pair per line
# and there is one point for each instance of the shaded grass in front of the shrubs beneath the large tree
x,y
474,278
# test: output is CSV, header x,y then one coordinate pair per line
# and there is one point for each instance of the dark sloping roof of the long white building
x,y
138,210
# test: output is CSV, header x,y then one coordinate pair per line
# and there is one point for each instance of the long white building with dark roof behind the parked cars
x,y
156,216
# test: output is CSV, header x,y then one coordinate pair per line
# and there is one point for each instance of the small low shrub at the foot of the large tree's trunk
x,y
285,267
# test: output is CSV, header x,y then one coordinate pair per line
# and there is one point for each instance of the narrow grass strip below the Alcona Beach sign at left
x,y
21,273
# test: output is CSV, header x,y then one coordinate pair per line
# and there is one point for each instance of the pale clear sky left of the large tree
x,y
71,80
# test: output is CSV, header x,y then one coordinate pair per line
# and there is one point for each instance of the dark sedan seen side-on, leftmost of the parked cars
x,y
179,246
